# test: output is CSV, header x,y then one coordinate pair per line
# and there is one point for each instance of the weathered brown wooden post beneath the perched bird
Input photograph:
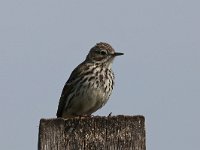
x,y
95,133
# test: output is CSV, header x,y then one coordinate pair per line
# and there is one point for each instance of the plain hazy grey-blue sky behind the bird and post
x,y
158,76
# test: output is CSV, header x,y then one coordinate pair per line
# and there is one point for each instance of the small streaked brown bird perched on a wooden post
x,y
90,83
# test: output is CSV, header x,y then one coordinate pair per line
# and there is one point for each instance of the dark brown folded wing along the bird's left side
x,y
76,74
